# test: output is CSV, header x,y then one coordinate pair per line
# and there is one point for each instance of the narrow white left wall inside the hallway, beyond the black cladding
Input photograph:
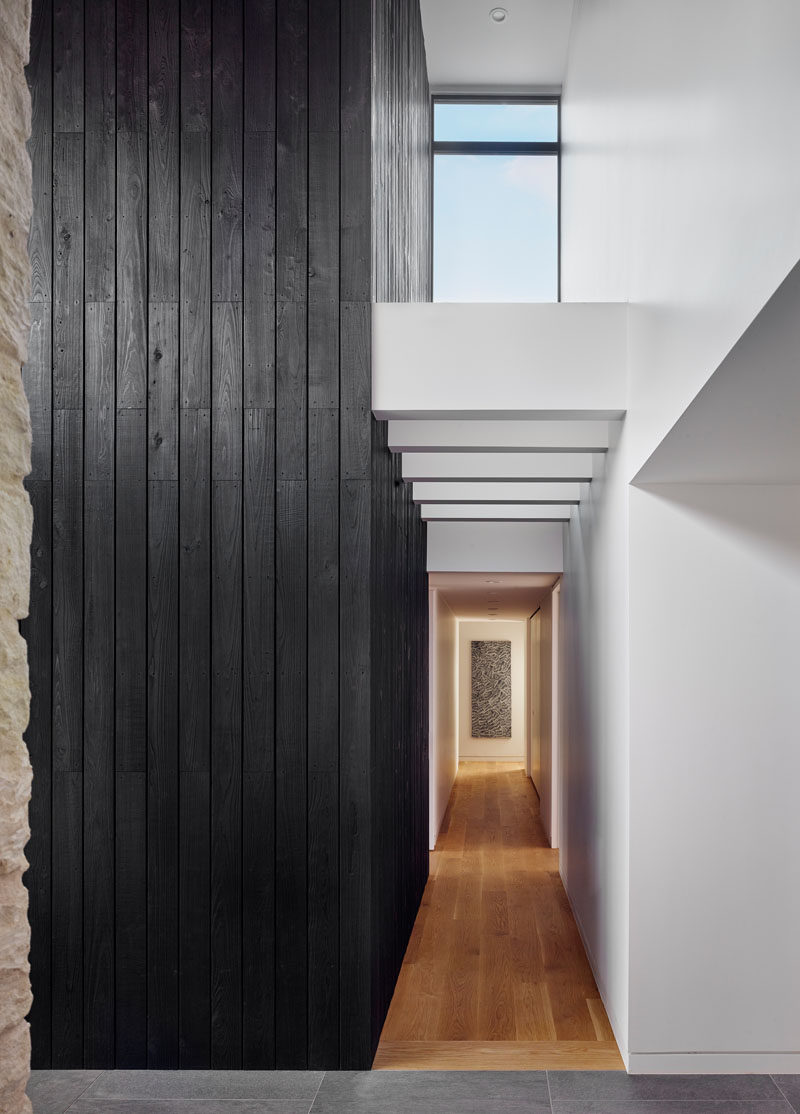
x,y
444,708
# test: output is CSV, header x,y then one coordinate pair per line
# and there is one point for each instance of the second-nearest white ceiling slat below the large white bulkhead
x,y
513,467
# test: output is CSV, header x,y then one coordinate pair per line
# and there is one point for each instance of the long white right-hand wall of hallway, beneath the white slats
x,y
594,731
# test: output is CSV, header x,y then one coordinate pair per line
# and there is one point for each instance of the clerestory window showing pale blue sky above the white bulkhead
x,y
496,200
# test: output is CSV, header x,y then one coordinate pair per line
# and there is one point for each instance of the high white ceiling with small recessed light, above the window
x,y
467,52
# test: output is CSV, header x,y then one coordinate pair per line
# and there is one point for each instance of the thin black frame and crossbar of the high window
x,y
492,148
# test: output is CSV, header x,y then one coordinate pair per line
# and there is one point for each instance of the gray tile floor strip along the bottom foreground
x,y
411,1093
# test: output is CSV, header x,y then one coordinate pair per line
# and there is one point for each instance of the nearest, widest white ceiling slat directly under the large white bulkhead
x,y
497,436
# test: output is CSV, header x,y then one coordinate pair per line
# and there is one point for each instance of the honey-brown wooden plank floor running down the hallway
x,y
495,975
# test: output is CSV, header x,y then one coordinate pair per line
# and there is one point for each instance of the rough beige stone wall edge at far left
x,y
16,521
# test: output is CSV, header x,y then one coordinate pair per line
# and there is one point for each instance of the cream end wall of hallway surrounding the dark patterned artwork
x,y
505,750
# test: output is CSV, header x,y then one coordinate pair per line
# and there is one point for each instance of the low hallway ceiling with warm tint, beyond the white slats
x,y
493,595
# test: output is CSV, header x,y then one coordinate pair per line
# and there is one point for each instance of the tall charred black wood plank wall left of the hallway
x,y
228,629
